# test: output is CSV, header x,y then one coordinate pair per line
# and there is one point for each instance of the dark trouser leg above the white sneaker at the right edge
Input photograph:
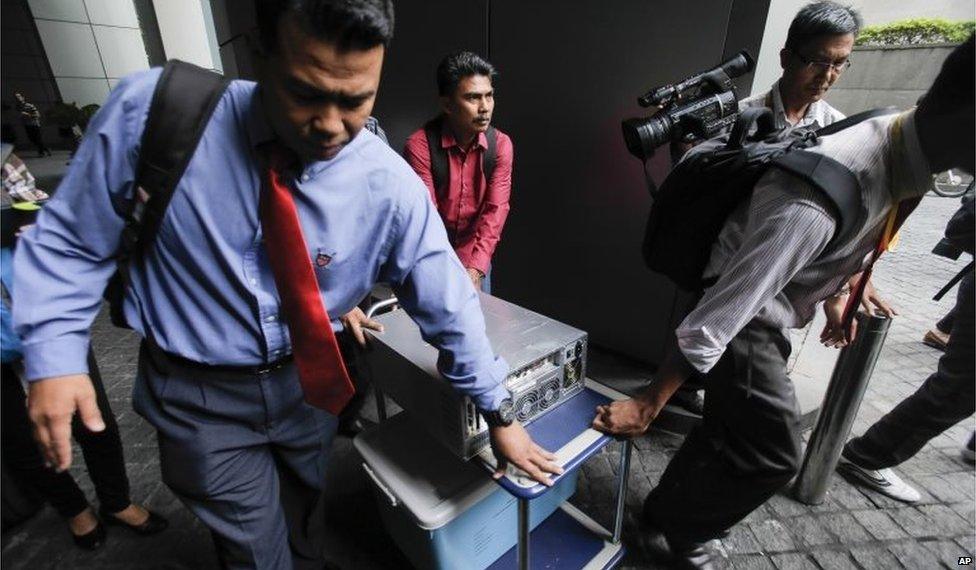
x,y
945,398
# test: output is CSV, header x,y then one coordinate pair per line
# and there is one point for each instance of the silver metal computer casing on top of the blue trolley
x,y
547,360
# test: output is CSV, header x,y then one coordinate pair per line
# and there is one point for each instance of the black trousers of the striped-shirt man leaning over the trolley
x,y
746,448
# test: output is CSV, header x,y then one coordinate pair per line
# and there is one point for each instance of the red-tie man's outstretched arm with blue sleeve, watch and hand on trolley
x,y
435,290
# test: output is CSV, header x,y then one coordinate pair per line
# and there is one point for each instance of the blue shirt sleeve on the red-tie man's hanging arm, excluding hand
x,y
63,263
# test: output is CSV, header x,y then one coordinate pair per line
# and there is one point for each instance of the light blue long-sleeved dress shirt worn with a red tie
x,y
204,287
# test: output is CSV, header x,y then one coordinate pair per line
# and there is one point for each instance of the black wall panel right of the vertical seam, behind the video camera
x,y
570,72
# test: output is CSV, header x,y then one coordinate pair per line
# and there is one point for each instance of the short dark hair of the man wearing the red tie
x,y
350,24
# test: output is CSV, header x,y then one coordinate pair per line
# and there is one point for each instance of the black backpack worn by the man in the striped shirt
x,y
703,189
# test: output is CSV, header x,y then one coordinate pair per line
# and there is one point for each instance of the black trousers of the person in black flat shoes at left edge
x,y
102,451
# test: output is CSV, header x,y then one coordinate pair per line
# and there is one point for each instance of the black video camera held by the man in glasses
x,y
700,107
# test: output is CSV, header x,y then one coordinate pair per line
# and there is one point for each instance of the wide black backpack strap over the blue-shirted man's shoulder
x,y
182,103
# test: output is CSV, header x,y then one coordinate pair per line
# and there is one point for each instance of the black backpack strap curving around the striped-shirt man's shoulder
x,y
832,178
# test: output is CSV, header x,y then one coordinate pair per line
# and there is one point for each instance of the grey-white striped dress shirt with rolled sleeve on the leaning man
x,y
772,257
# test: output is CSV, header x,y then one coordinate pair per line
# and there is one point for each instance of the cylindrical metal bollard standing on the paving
x,y
844,393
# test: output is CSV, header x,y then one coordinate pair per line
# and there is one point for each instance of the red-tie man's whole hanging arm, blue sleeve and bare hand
x,y
63,263
